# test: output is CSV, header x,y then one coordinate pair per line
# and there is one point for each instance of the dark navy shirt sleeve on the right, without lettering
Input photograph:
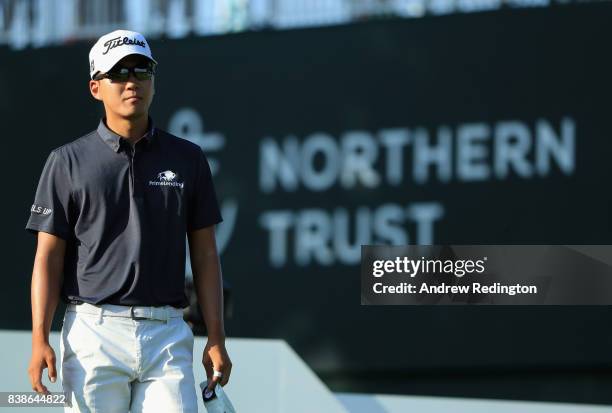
x,y
204,208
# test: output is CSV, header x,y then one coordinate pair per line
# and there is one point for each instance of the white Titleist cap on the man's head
x,y
114,46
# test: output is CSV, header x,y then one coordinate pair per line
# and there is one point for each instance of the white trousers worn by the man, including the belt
x,y
115,360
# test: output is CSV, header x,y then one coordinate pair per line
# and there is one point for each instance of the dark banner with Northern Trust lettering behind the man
x,y
489,128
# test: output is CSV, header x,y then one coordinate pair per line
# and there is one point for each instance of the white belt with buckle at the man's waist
x,y
135,312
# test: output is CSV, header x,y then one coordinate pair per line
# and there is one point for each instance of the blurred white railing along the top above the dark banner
x,y
38,23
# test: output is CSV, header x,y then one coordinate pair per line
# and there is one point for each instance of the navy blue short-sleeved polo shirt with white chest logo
x,y
124,211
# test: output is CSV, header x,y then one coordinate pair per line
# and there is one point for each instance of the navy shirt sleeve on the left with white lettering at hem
x,y
50,211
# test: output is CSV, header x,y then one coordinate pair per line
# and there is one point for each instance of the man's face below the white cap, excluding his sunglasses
x,y
129,99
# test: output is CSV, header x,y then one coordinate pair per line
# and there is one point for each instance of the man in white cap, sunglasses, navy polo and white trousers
x,y
111,211
